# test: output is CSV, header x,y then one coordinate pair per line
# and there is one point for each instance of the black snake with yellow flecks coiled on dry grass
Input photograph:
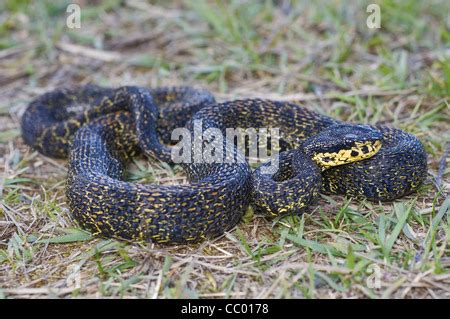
x,y
100,129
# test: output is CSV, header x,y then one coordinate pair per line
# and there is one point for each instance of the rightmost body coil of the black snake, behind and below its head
x,y
395,171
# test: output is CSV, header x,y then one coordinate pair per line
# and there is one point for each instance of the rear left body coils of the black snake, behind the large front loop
x,y
51,119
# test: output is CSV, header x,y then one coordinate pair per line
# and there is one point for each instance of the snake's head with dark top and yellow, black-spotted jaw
x,y
343,144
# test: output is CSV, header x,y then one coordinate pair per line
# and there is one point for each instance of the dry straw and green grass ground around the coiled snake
x,y
321,54
